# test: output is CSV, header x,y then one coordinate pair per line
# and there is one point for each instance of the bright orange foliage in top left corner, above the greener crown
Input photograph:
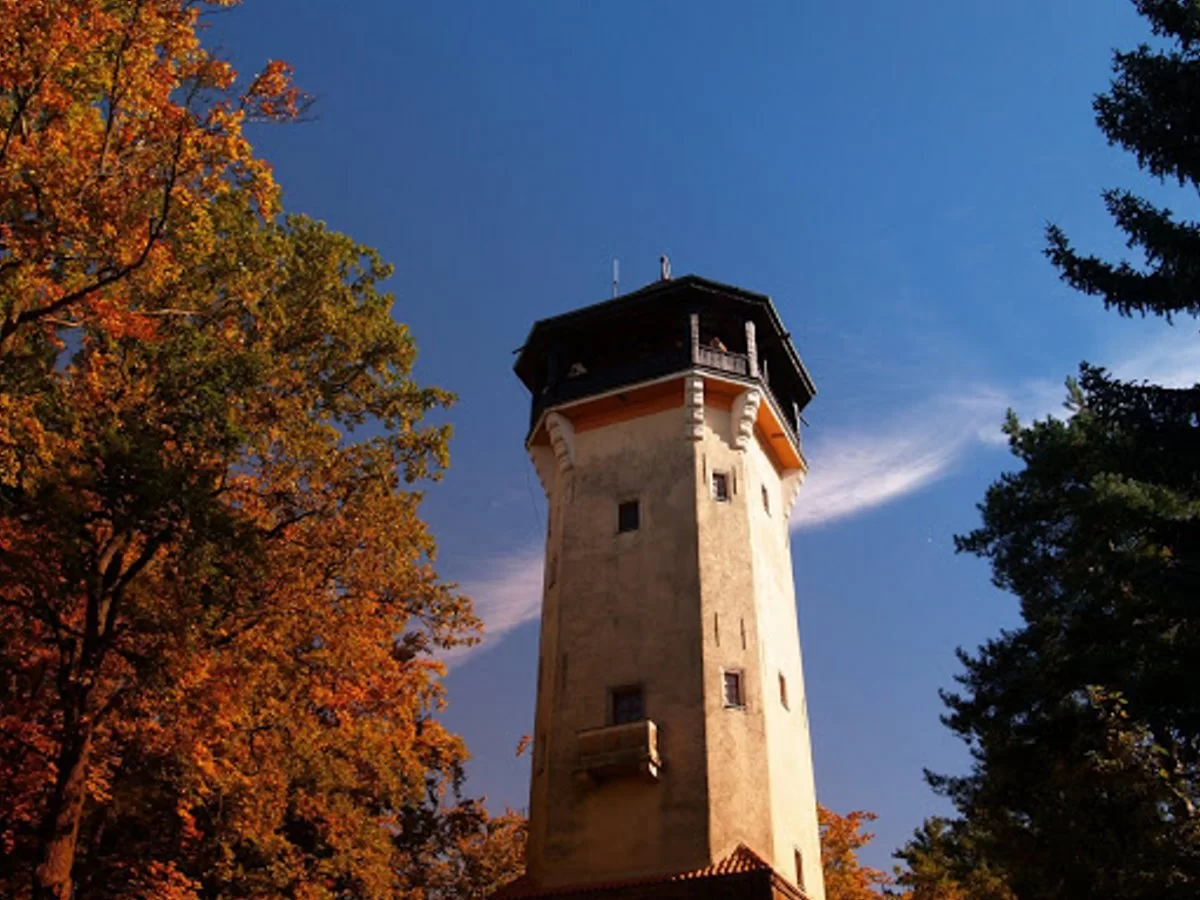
x,y
117,130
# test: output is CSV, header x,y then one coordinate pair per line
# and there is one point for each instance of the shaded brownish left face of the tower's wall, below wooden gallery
x,y
622,609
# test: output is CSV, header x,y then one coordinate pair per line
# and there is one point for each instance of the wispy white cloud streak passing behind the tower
x,y
863,469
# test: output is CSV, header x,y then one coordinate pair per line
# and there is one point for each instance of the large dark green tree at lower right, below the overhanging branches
x,y
1084,724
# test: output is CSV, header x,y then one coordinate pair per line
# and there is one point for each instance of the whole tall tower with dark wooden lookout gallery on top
x,y
671,743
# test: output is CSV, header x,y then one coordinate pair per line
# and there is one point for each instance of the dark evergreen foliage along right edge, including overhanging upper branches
x,y
1083,724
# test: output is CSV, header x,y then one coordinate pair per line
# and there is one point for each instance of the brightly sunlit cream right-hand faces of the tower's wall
x,y
760,761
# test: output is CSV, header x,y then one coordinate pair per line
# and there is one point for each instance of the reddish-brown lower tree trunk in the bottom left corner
x,y
61,827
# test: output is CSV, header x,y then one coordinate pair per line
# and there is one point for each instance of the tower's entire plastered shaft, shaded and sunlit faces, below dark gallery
x,y
703,587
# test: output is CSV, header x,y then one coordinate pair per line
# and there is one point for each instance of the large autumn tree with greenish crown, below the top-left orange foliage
x,y
218,608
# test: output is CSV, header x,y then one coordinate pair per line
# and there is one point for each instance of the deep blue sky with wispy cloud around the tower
x,y
884,171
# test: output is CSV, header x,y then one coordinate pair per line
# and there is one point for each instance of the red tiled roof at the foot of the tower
x,y
743,875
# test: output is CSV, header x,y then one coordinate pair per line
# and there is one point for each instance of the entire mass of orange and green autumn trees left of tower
x,y
218,604
